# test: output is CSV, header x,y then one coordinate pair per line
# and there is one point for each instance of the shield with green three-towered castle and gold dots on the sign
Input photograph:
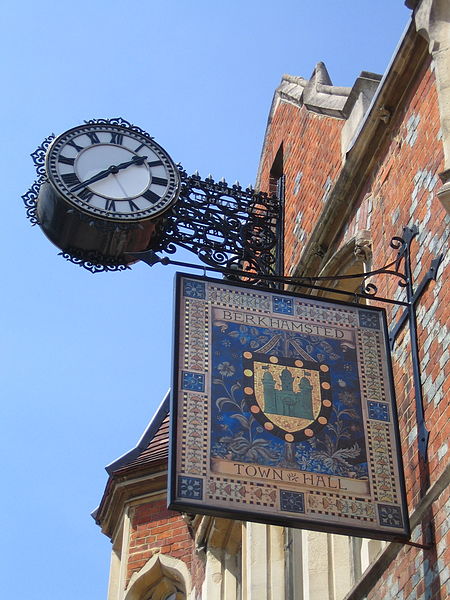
x,y
290,398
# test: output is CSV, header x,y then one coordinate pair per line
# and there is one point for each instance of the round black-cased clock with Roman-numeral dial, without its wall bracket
x,y
106,187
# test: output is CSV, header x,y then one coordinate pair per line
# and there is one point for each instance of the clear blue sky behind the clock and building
x,y
86,358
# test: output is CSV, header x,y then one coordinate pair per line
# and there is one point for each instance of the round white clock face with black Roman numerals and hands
x,y
113,172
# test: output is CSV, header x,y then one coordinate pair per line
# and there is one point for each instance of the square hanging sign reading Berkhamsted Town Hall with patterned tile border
x,y
283,411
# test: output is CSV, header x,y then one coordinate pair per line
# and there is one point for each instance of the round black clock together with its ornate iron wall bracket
x,y
106,191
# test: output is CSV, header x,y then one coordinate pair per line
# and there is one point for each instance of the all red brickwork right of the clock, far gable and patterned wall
x,y
400,191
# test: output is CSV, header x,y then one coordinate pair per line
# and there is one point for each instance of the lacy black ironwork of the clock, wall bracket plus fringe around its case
x,y
226,226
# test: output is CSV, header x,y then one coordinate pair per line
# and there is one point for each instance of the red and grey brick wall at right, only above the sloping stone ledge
x,y
402,191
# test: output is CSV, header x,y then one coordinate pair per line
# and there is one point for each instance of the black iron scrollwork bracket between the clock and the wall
x,y
227,227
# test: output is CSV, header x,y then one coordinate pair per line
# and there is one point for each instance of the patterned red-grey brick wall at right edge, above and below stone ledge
x,y
402,191
